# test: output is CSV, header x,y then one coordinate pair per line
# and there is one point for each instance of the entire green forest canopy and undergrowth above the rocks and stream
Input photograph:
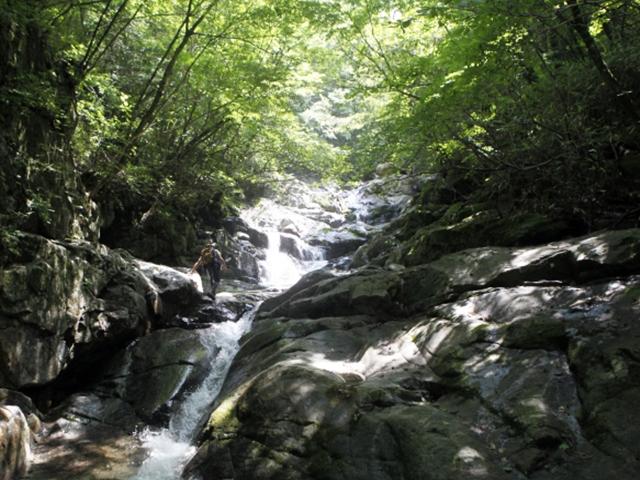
x,y
187,107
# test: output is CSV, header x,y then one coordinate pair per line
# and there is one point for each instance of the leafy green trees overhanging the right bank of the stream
x,y
531,104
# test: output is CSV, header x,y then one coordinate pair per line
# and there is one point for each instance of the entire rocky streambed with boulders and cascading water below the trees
x,y
427,340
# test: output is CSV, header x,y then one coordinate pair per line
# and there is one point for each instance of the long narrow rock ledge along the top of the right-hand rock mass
x,y
393,291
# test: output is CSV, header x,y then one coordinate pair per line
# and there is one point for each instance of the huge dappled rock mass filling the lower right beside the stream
x,y
514,363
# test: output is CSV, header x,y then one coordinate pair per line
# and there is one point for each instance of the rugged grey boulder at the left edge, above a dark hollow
x,y
62,303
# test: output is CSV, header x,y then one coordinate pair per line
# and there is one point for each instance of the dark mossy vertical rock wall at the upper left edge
x,y
40,190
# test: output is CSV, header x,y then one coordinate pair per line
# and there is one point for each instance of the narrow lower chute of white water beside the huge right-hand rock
x,y
170,448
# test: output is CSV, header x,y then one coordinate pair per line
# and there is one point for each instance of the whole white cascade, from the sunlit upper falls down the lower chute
x,y
287,257
